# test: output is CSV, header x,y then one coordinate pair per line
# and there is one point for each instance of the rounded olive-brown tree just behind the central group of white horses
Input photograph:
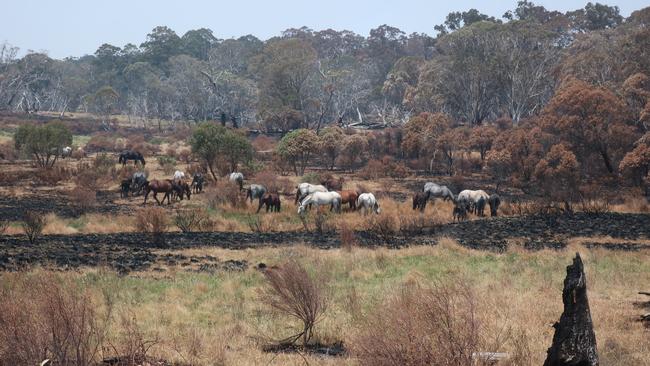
x,y
297,147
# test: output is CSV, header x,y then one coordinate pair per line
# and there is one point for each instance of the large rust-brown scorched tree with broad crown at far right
x,y
592,120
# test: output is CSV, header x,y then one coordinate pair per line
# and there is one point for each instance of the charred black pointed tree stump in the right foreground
x,y
574,341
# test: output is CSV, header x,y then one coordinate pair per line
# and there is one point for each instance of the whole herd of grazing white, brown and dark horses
x,y
329,192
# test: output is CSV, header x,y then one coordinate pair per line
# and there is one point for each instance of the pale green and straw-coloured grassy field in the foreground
x,y
206,319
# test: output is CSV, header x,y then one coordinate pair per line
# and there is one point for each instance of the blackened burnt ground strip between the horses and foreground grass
x,y
127,252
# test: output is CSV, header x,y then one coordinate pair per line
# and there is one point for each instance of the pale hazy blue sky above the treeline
x,y
77,27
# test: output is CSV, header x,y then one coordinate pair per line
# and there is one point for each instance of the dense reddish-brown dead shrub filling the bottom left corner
x,y
44,317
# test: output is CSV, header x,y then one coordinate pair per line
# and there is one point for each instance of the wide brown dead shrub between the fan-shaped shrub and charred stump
x,y
437,325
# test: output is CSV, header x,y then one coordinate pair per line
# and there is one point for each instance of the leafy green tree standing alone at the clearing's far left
x,y
45,143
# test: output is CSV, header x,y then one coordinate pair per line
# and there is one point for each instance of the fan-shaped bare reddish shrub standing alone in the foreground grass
x,y
295,293
